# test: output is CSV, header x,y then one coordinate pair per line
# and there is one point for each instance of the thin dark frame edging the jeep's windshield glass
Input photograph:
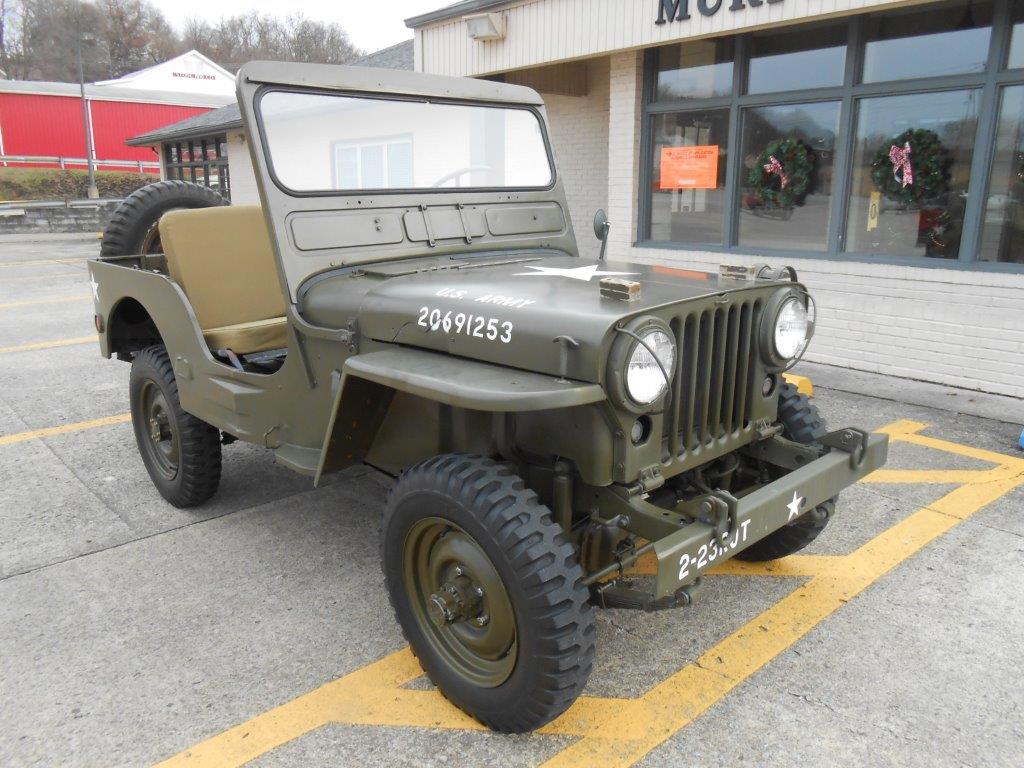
x,y
269,158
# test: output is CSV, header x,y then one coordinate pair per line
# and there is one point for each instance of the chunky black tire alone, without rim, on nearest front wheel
x,y
554,641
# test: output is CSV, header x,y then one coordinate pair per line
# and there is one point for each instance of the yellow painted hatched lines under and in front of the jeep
x,y
615,733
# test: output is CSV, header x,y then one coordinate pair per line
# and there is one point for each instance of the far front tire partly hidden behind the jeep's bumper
x,y
801,423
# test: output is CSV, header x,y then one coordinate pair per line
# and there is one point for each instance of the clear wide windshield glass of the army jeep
x,y
325,143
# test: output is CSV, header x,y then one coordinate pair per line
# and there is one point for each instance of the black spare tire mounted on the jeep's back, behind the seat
x,y
133,229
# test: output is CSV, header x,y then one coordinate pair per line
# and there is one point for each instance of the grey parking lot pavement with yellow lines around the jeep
x,y
257,630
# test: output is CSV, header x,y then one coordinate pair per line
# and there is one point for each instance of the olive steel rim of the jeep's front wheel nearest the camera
x,y
460,603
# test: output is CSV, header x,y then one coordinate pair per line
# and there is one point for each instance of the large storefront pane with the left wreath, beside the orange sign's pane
x,y
786,192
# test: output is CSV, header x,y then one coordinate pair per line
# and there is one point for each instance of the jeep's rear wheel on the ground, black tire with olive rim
x,y
184,459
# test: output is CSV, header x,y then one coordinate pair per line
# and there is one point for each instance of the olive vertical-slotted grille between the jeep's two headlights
x,y
714,378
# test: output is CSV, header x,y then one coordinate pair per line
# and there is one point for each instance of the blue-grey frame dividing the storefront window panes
x,y
991,83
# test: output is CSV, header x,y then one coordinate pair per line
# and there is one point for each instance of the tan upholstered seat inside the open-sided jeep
x,y
223,260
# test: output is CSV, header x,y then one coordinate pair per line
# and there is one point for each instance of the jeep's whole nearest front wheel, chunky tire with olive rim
x,y
489,591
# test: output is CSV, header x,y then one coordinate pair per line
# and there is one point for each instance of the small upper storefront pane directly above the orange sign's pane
x,y
696,70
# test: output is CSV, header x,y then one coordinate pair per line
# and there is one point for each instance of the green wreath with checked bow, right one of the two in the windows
x,y
912,168
